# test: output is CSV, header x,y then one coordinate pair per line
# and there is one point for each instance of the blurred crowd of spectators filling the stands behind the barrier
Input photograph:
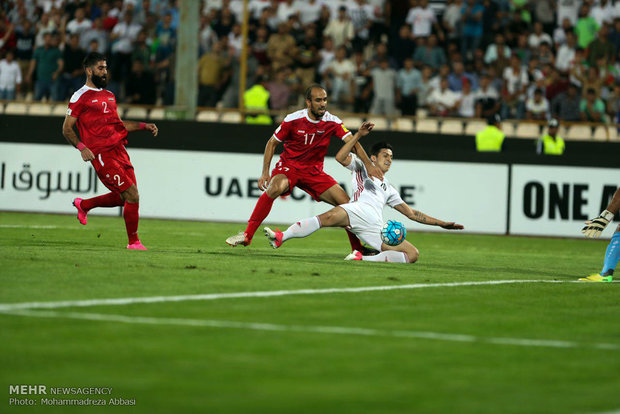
x,y
462,58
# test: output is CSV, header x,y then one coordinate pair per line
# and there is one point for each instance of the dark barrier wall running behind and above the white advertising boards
x,y
220,137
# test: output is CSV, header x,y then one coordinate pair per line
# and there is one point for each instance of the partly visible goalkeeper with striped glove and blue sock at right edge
x,y
594,228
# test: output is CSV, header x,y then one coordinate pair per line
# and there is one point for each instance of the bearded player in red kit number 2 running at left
x,y
102,142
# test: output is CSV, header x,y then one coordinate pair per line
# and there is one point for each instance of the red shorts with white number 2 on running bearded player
x,y
114,169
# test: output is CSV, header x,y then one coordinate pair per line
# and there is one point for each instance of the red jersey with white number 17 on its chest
x,y
305,140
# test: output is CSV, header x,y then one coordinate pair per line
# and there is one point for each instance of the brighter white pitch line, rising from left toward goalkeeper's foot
x,y
264,294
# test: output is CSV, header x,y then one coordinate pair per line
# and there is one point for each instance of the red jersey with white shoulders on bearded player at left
x,y
98,122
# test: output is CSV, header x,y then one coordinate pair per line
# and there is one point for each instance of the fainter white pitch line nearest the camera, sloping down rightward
x,y
336,330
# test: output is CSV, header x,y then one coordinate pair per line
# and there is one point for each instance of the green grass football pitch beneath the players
x,y
443,349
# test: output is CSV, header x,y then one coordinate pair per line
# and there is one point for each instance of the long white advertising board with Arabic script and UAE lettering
x,y
222,186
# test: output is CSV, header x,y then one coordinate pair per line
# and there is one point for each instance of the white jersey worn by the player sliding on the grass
x,y
370,191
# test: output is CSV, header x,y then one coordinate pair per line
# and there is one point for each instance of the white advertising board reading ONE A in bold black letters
x,y
555,201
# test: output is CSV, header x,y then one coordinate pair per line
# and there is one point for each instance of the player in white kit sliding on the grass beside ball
x,y
364,215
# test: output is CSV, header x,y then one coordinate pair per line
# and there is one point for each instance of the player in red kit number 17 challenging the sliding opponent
x,y
306,135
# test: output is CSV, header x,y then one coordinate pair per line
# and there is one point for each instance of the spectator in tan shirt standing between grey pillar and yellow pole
x,y
212,70
